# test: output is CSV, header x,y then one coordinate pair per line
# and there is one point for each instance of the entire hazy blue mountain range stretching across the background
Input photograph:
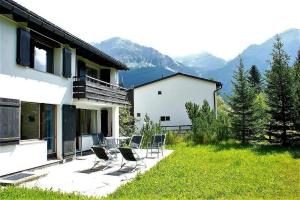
x,y
147,64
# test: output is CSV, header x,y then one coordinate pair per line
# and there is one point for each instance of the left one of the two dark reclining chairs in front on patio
x,y
102,154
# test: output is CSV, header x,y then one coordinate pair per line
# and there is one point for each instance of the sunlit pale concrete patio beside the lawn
x,y
76,176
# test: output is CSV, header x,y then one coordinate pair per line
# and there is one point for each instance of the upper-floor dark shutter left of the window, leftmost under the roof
x,y
23,47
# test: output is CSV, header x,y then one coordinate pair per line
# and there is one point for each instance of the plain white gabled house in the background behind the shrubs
x,y
163,100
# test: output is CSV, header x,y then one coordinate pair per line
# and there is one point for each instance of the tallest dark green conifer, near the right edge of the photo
x,y
279,92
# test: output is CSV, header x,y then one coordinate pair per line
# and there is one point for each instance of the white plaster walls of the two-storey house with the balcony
x,y
30,85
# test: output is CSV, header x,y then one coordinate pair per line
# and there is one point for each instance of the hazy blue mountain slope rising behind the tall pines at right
x,y
259,55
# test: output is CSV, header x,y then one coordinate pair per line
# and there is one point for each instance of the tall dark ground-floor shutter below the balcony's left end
x,y
69,129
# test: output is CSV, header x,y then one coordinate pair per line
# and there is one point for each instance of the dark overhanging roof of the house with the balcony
x,y
41,25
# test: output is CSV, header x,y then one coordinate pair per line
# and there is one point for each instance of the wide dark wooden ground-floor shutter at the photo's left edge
x,y
9,121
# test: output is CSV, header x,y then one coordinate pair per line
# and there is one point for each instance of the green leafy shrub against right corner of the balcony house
x,y
127,122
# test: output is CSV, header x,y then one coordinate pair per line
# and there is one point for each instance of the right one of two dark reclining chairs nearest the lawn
x,y
130,155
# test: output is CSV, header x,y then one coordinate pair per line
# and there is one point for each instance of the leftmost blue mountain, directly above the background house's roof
x,y
145,63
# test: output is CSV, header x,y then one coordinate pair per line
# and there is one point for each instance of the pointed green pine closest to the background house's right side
x,y
241,103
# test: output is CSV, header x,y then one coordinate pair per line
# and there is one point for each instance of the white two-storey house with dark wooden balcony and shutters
x,y
55,91
